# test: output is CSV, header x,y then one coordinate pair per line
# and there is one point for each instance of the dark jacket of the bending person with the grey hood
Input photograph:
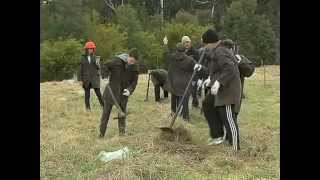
x,y
121,76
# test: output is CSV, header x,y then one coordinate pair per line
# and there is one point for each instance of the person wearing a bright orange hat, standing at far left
x,y
90,74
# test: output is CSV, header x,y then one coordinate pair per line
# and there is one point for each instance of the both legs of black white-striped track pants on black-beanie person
x,y
219,117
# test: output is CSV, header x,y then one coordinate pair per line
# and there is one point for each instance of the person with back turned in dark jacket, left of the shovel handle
x,y
180,71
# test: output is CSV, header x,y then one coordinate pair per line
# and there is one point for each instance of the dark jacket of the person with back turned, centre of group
x,y
179,73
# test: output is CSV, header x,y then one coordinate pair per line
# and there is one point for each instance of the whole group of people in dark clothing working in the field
x,y
220,72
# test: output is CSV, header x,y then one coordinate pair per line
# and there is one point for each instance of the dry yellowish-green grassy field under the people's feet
x,y
69,141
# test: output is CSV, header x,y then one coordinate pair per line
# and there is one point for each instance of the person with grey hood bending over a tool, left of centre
x,y
123,79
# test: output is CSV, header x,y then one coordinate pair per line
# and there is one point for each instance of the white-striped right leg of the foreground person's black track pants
x,y
227,116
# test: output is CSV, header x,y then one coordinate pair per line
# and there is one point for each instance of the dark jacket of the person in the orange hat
x,y
89,73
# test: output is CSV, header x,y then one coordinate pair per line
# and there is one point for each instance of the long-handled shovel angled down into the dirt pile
x,y
169,129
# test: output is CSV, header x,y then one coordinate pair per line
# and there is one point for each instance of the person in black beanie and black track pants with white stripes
x,y
225,91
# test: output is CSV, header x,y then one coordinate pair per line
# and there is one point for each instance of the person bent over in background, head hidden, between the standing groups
x,y
158,78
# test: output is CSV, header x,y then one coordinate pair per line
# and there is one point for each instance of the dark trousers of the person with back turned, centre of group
x,y
175,103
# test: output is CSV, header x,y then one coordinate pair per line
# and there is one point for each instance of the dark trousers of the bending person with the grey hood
x,y
106,115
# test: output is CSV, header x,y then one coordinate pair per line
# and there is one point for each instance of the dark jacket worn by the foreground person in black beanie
x,y
223,67
